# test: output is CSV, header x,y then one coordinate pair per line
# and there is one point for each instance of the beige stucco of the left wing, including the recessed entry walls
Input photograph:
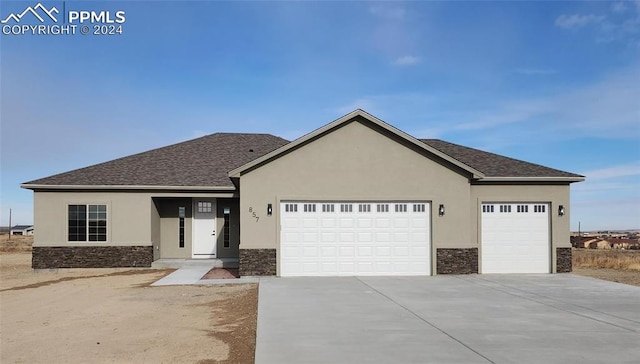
x,y
133,219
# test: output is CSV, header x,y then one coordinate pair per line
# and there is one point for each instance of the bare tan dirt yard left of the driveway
x,y
113,315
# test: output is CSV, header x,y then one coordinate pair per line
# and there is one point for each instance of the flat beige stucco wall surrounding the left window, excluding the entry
x,y
128,220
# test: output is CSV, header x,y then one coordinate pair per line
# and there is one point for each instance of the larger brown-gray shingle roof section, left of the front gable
x,y
204,161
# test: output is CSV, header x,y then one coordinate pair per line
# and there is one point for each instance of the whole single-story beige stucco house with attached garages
x,y
354,197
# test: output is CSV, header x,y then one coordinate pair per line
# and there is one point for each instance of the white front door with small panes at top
x,y
204,228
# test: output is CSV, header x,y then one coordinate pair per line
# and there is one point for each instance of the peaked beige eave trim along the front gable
x,y
303,139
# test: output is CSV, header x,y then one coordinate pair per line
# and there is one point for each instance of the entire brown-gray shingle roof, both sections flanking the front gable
x,y
206,162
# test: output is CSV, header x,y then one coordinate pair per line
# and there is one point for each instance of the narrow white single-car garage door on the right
x,y
515,238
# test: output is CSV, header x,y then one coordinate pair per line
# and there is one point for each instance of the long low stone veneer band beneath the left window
x,y
46,257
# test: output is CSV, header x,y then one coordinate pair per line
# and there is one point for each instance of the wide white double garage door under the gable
x,y
349,239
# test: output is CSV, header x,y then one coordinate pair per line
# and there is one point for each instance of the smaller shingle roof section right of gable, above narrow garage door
x,y
494,165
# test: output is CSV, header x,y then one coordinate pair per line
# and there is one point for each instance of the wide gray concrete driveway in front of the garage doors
x,y
558,318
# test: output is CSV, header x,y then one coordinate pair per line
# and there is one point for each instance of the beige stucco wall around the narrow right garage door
x,y
555,195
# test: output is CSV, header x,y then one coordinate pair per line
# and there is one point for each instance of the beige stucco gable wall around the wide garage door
x,y
353,163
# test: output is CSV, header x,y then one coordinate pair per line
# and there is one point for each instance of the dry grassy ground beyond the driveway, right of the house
x,y
621,266
